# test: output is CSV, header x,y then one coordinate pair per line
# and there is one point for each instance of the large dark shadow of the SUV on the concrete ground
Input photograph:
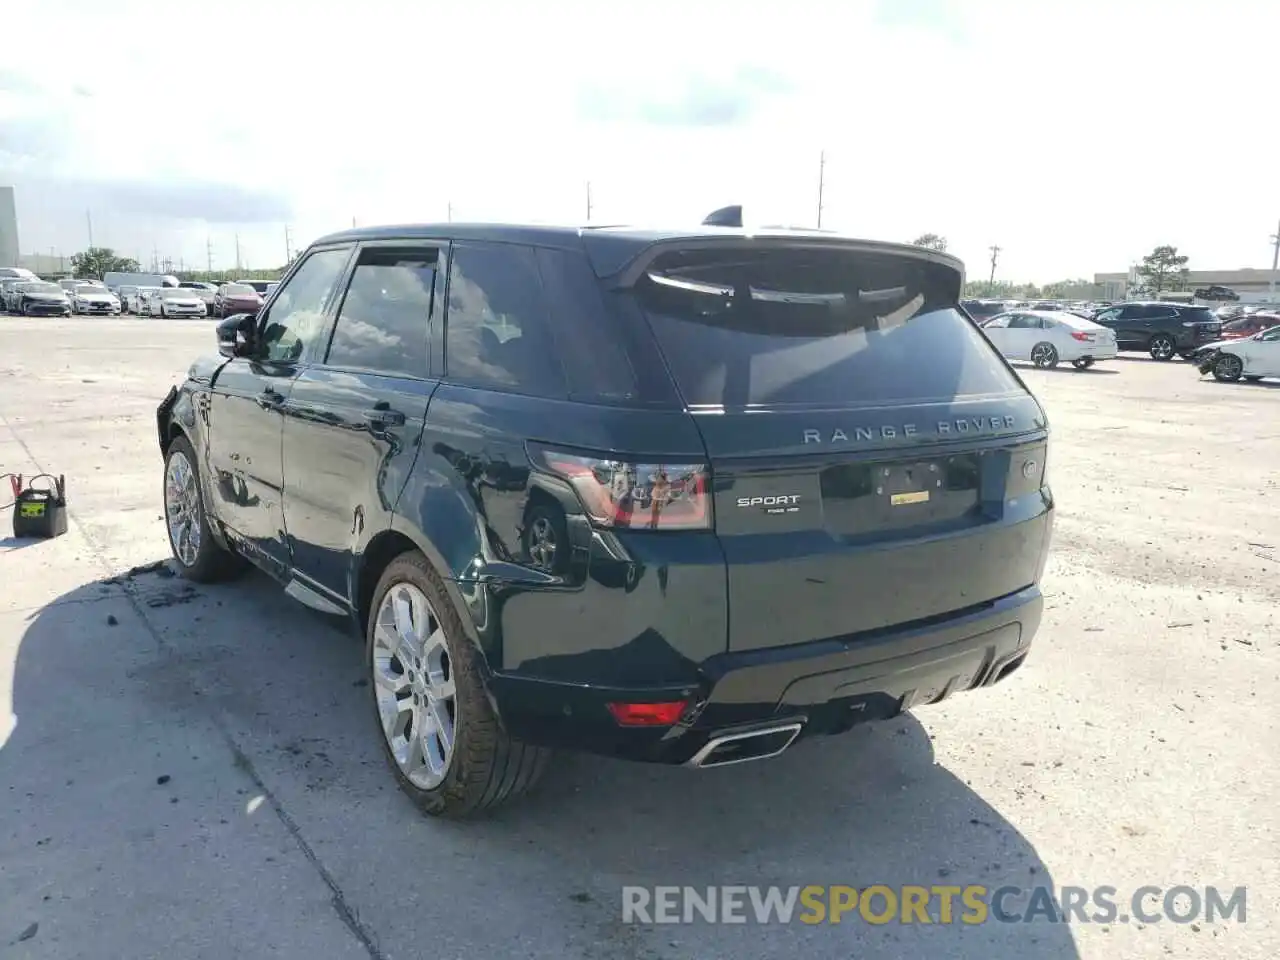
x,y
113,670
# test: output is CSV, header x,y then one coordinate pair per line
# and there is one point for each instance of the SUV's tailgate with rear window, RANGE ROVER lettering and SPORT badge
x,y
875,461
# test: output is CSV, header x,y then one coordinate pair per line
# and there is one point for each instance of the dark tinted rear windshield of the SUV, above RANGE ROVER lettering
x,y
816,327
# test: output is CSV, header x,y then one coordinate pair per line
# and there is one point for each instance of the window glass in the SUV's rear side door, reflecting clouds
x,y
382,324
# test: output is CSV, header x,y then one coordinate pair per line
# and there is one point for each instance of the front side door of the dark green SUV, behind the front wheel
x,y
248,401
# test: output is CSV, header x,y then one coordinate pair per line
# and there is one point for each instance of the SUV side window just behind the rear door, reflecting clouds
x,y
496,330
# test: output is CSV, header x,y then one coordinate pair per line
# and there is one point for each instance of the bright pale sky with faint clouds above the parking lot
x,y
1075,135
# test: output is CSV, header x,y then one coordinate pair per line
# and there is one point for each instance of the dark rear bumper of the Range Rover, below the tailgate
x,y
826,687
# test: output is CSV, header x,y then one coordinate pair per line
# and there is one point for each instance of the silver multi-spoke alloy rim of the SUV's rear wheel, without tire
x,y
414,685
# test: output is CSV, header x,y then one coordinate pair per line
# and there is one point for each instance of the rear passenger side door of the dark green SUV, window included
x,y
355,418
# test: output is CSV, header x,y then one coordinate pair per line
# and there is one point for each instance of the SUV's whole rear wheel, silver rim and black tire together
x,y
438,730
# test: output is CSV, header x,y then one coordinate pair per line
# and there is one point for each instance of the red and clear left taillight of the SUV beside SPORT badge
x,y
642,496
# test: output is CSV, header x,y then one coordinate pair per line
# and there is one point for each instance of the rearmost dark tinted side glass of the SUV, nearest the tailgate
x,y
592,346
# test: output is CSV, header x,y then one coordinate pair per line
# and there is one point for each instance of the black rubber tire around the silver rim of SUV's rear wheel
x,y
488,769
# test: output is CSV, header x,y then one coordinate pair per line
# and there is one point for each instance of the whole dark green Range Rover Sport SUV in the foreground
x,y
680,497
